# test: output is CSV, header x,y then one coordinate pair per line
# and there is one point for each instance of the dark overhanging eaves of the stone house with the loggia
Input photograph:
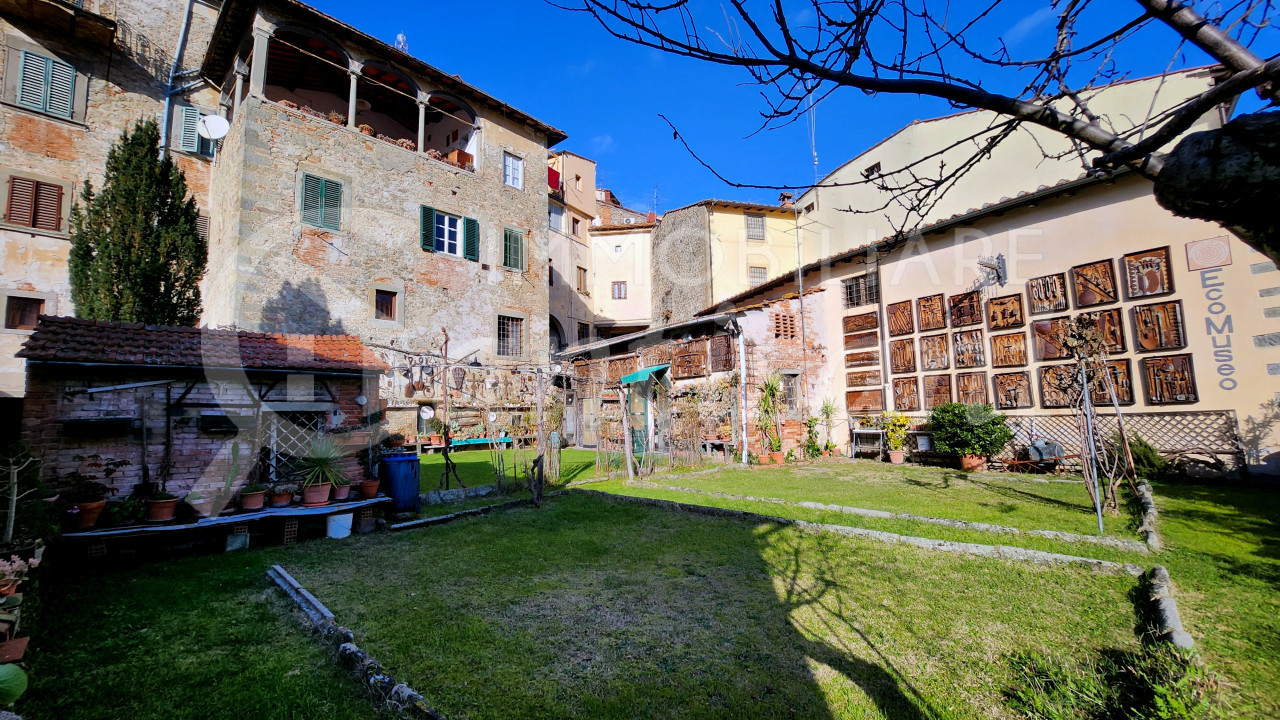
x,y
237,16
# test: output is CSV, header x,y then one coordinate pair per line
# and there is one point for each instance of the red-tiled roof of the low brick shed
x,y
98,343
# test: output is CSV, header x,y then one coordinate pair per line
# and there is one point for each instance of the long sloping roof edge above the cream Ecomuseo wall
x,y
889,243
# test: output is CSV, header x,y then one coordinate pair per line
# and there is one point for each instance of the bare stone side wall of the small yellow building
x,y
680,284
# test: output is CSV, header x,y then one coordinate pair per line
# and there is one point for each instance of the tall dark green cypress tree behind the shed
x,y
136,252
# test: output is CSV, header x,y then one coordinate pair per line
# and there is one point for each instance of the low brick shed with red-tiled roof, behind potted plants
x,y
175,400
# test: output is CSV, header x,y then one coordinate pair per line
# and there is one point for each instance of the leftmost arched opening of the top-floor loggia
x,y
308,74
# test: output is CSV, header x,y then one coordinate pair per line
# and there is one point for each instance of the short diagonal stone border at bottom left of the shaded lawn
x,y
382,687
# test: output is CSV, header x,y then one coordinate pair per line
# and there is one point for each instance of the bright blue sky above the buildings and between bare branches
x,y
607,95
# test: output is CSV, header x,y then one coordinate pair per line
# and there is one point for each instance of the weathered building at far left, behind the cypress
x,y
75,76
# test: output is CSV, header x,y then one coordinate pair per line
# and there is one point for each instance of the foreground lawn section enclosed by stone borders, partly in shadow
x,y
592,609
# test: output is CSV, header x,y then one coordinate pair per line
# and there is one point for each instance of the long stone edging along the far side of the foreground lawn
x,y
998,552
